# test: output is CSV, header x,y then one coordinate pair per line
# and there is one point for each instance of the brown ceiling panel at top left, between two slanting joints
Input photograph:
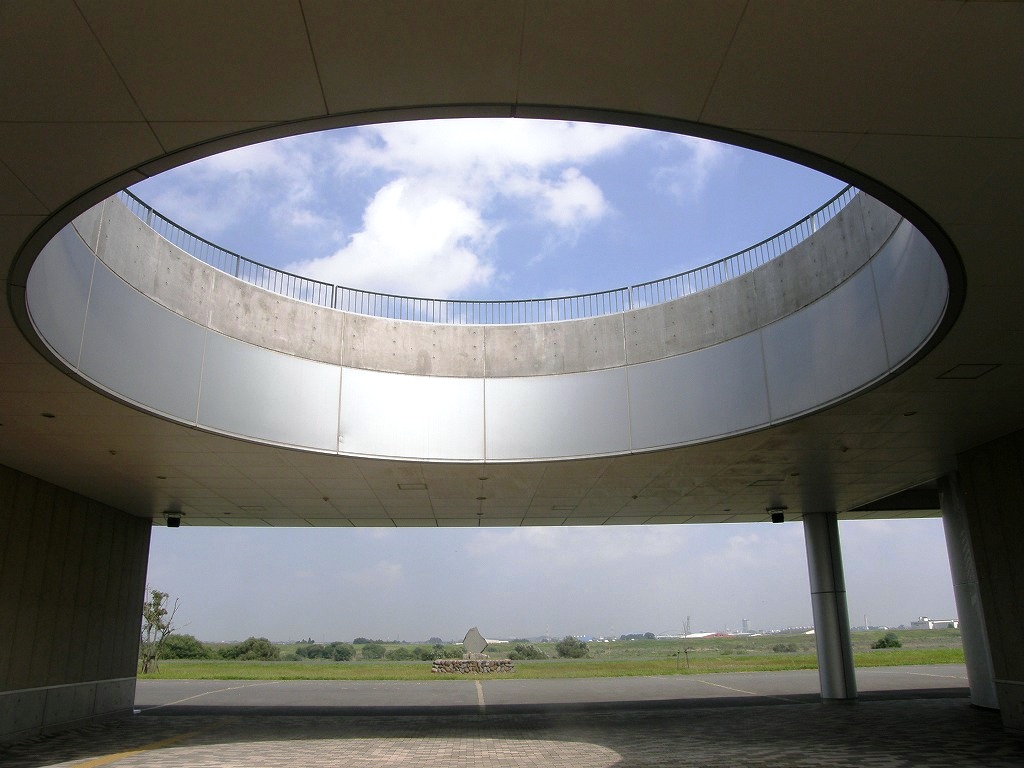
x,y
228,62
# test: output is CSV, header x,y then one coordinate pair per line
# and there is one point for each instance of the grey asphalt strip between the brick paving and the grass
x,y
466,697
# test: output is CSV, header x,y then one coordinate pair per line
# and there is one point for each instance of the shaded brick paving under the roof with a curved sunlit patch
x,y
937,732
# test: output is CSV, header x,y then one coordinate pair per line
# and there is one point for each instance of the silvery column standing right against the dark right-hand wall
x,y
968,594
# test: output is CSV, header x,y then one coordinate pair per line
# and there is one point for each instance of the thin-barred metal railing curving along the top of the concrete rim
x,y
457,312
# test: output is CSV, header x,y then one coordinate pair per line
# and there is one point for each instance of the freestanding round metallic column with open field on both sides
x,y
832,619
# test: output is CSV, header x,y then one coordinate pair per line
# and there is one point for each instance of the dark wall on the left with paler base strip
x,y
72,585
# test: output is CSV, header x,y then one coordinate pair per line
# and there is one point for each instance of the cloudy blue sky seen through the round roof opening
x,y
488,209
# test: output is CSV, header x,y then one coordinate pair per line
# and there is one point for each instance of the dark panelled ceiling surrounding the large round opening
x,y
918,103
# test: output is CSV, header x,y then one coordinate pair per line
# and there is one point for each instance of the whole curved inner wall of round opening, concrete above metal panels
x,y
137,317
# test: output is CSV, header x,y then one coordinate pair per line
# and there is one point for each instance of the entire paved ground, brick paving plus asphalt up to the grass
x,y
761,721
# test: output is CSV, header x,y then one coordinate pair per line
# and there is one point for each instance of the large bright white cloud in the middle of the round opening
x,y
452,189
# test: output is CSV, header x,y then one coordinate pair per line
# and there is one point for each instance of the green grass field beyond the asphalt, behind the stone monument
x,y
638,658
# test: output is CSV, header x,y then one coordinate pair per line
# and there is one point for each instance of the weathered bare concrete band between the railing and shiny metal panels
x,y
186,286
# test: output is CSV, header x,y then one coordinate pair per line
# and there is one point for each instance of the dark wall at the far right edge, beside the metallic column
x,y
993,481
